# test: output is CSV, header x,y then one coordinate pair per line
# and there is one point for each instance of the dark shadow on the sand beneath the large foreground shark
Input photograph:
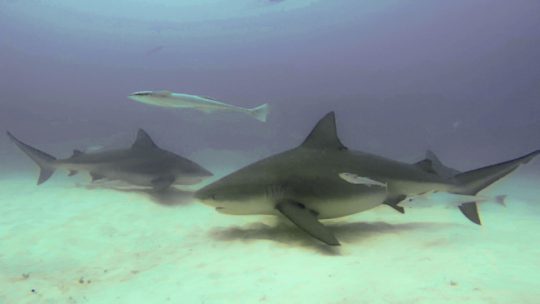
x,y
285,233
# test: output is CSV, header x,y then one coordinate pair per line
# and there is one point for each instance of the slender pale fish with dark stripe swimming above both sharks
x,y
169,99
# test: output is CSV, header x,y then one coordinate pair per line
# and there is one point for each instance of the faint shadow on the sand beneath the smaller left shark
x,y
169,197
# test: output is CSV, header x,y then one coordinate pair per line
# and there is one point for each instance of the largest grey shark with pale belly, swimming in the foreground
x,y
304,183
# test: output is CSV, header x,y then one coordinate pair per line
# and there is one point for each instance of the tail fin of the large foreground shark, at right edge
x,y
472,182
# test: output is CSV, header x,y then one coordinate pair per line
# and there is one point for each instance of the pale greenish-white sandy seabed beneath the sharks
x,y
71,244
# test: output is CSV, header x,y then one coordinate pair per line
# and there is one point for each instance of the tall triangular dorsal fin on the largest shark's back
x,y
324,135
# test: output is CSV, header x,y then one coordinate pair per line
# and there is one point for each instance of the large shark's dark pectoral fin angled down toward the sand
x,y
306,220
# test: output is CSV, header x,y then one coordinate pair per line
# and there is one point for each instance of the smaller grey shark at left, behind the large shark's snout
x,y
143,164
